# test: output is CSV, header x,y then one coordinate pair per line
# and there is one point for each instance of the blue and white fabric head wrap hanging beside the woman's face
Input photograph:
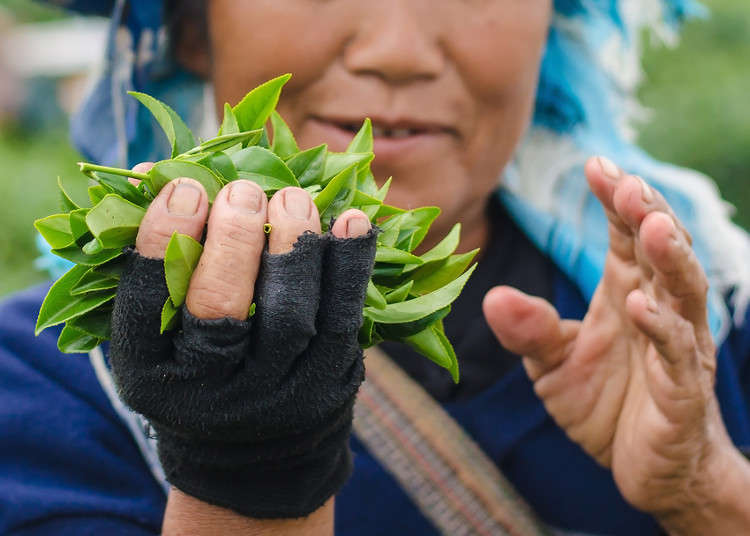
x,y
585,106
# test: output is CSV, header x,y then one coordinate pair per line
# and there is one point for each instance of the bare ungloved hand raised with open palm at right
x,y
633,383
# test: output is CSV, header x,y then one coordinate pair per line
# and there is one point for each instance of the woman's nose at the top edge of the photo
x,y
395,43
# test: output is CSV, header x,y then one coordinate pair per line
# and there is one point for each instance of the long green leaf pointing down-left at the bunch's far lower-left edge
x,y
59,306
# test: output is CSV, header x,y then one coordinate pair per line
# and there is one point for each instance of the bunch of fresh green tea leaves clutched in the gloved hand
x,y
408,295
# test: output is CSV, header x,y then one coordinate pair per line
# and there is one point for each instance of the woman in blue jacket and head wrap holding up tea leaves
x,y
634,438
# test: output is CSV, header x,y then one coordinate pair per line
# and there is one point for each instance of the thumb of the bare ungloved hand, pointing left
x,y
528,326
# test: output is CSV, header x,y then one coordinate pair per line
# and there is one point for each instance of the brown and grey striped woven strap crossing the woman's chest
x,y
449,478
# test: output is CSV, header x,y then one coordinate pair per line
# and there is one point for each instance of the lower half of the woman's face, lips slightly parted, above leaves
x,y
449,84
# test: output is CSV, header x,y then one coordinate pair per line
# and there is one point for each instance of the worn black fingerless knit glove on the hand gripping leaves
x,y
254,416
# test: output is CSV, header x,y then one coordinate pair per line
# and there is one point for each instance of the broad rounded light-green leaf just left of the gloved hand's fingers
x,y
115,221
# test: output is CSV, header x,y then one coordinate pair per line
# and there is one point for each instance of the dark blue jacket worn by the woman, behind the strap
x,y
70,466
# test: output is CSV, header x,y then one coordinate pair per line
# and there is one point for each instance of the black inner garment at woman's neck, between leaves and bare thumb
x,y
509,258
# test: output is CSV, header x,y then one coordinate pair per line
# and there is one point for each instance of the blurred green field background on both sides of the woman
x,y
698,95
